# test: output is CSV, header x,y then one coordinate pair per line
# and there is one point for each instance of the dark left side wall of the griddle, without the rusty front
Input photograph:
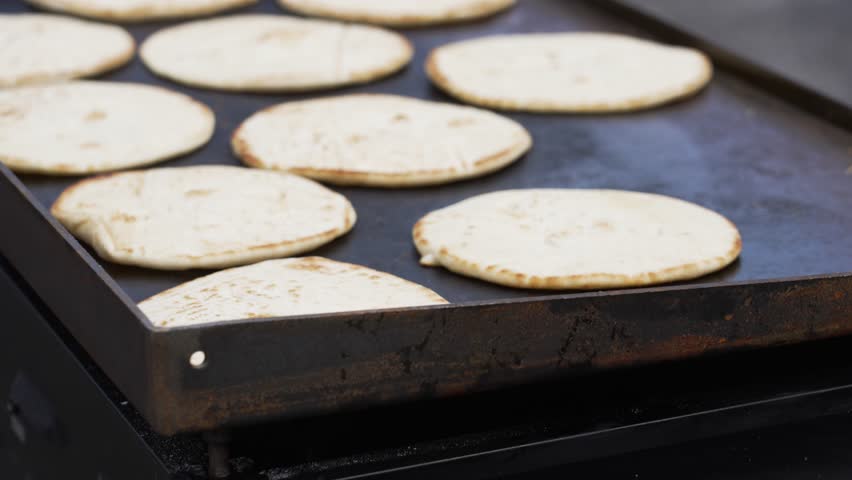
x,y
76,289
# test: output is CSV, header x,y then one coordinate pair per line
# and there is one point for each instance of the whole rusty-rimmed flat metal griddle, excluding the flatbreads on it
x,y
745,147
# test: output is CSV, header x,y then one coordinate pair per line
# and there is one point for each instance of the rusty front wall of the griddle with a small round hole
x,y
319,364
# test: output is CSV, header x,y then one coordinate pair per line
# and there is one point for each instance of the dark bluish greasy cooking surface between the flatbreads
x,y
778,173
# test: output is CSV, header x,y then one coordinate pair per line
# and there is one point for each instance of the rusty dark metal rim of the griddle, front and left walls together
x,y
273,368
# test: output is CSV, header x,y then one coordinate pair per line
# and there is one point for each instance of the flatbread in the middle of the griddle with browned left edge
x,y
380,140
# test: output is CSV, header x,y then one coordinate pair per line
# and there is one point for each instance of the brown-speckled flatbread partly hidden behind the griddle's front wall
x,y
279,288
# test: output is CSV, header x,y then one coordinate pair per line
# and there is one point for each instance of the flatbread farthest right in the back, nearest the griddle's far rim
x,y
567,72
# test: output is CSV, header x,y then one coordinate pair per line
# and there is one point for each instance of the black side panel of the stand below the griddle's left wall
x,y
56,418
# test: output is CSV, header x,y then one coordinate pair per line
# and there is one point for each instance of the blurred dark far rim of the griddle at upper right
x,y
761,76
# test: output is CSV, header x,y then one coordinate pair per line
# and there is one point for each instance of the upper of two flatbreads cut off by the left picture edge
x,y
40,48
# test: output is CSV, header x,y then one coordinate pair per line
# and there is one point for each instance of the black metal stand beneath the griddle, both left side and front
x,y
527,429
